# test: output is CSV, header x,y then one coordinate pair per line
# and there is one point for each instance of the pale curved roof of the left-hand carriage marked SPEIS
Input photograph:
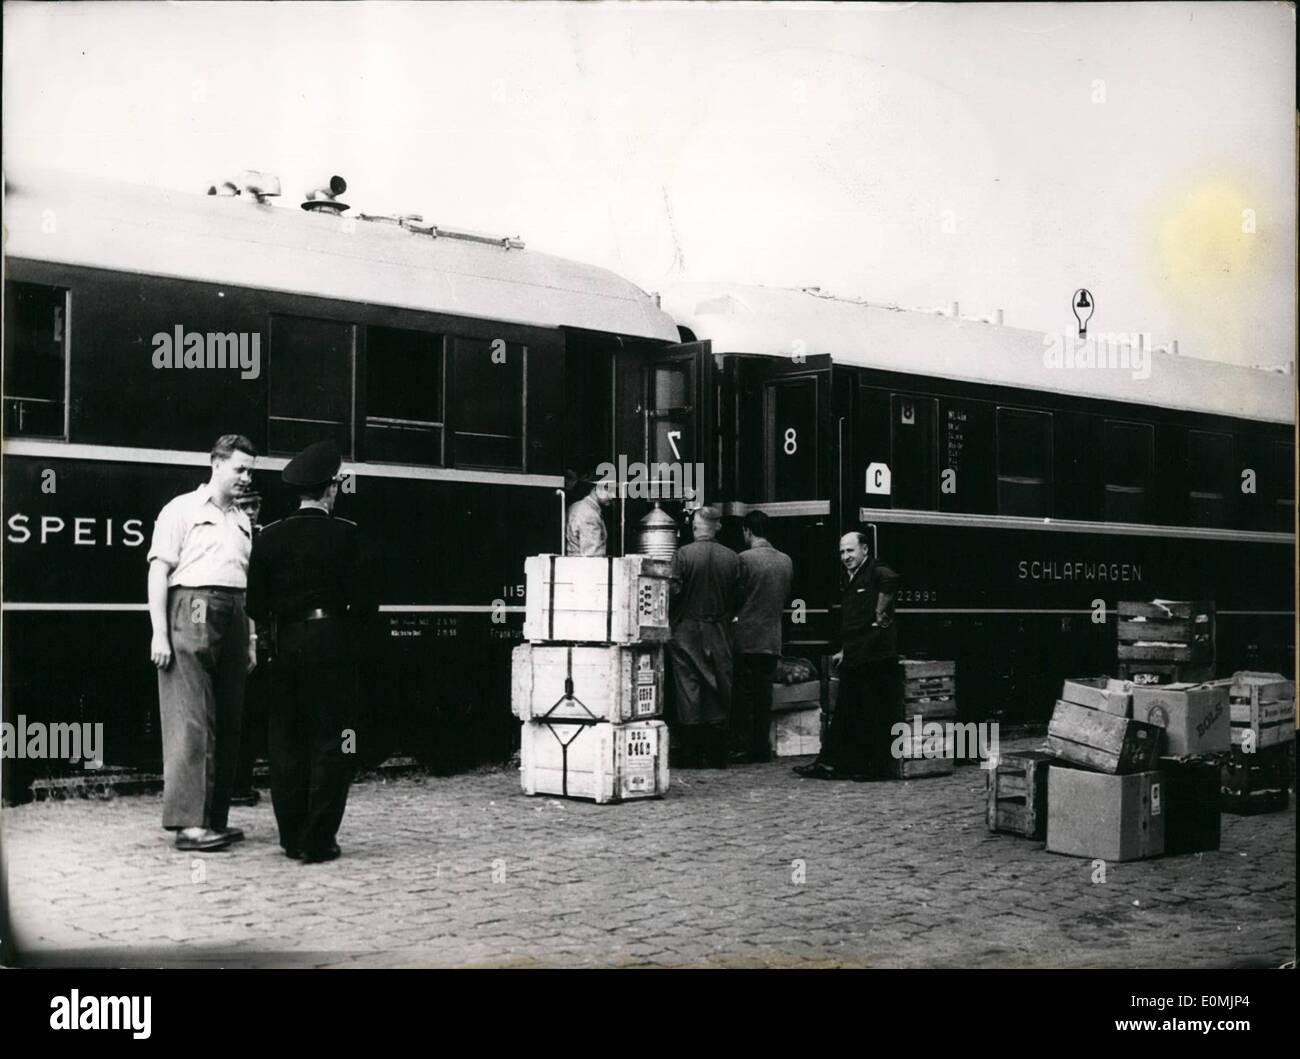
x,y
236,241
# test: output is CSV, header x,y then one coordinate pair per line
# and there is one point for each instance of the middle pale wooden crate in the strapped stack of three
x,y
617,684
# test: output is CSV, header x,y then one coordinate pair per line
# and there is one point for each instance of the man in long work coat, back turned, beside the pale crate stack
x,y
707,593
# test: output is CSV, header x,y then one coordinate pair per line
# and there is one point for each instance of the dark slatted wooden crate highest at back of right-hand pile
x,y
1167,641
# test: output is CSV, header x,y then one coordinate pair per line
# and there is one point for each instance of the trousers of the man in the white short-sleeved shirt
x,y
201,702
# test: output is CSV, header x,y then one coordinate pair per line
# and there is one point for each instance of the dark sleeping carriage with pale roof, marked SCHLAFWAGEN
x,y
1011,491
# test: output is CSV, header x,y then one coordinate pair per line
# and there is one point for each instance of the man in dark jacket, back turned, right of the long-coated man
x,y
766,576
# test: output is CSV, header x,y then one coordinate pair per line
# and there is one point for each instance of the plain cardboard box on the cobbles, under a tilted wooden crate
x,y
1112,818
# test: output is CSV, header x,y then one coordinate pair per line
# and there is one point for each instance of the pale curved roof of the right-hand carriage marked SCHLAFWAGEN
x,y
779,322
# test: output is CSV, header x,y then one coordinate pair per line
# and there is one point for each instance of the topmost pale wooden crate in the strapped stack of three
x,y
597,601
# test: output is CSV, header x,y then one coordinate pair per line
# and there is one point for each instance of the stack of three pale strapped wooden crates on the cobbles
x,y
588,687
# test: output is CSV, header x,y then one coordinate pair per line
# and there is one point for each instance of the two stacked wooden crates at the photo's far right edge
x,y
1259,776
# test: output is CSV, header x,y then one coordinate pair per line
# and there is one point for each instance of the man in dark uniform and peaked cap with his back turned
x,y
306,572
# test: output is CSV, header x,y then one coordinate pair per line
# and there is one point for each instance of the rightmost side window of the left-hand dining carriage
x,y
488,403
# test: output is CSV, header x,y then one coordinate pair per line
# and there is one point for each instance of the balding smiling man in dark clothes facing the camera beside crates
x,y
857,744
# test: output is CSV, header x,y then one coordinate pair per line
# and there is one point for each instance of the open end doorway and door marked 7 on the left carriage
x,y
669,427
